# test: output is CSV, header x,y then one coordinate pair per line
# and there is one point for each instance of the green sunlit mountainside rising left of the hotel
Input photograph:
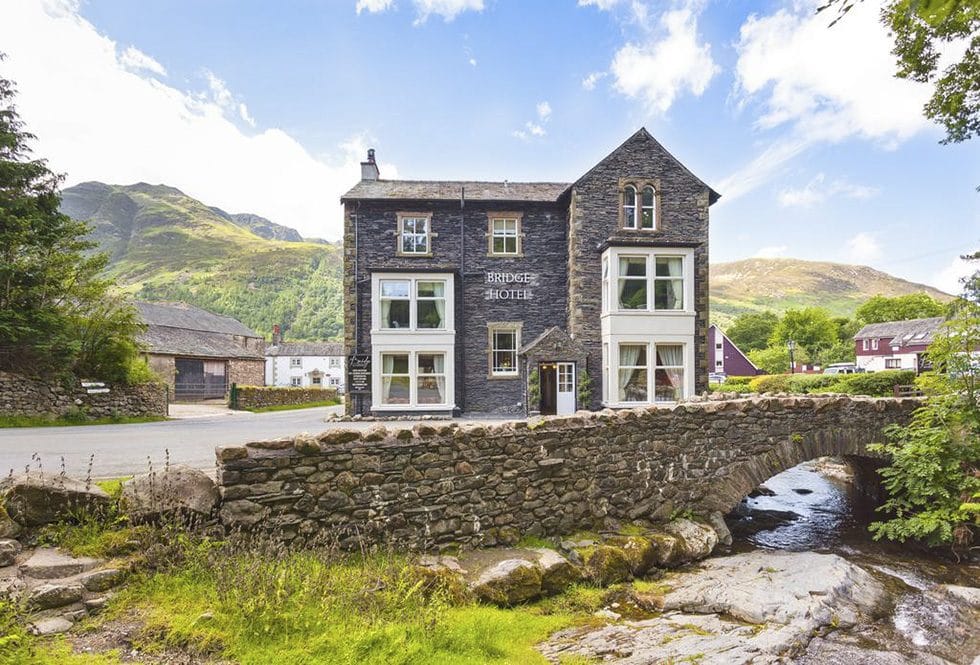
x,y
165,245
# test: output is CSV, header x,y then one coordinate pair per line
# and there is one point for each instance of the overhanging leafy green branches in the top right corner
x,y
921,29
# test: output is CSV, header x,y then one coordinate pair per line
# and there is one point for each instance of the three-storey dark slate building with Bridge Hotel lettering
x,y
526,297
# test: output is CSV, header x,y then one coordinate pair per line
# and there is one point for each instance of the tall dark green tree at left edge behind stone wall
x,y
55,310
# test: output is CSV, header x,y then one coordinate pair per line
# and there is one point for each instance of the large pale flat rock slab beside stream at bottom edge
x,y
756,607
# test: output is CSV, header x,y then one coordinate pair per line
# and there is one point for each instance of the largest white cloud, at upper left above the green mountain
x,y
132,127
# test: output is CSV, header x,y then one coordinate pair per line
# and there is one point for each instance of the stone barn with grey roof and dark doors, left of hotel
x,y
198,353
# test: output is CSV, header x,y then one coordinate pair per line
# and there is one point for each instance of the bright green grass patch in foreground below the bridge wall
x,y
300,608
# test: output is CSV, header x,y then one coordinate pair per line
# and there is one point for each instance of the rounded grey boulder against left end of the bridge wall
x,y
177,491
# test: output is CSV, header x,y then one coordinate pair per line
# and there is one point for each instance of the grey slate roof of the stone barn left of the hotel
x,y
184,330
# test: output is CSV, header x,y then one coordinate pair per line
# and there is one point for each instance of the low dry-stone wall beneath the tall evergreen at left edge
x,y
33,396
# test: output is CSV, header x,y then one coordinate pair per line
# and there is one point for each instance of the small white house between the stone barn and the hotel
x,y
305,365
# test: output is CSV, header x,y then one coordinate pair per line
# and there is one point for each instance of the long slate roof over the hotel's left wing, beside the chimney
x,y
449,190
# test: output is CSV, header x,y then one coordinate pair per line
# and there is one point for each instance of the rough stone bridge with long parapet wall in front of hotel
x,y
440,484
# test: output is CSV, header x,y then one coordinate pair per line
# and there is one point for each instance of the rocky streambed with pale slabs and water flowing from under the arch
x,y
804,584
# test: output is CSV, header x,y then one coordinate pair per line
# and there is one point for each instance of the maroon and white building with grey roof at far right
x,y
895,344
